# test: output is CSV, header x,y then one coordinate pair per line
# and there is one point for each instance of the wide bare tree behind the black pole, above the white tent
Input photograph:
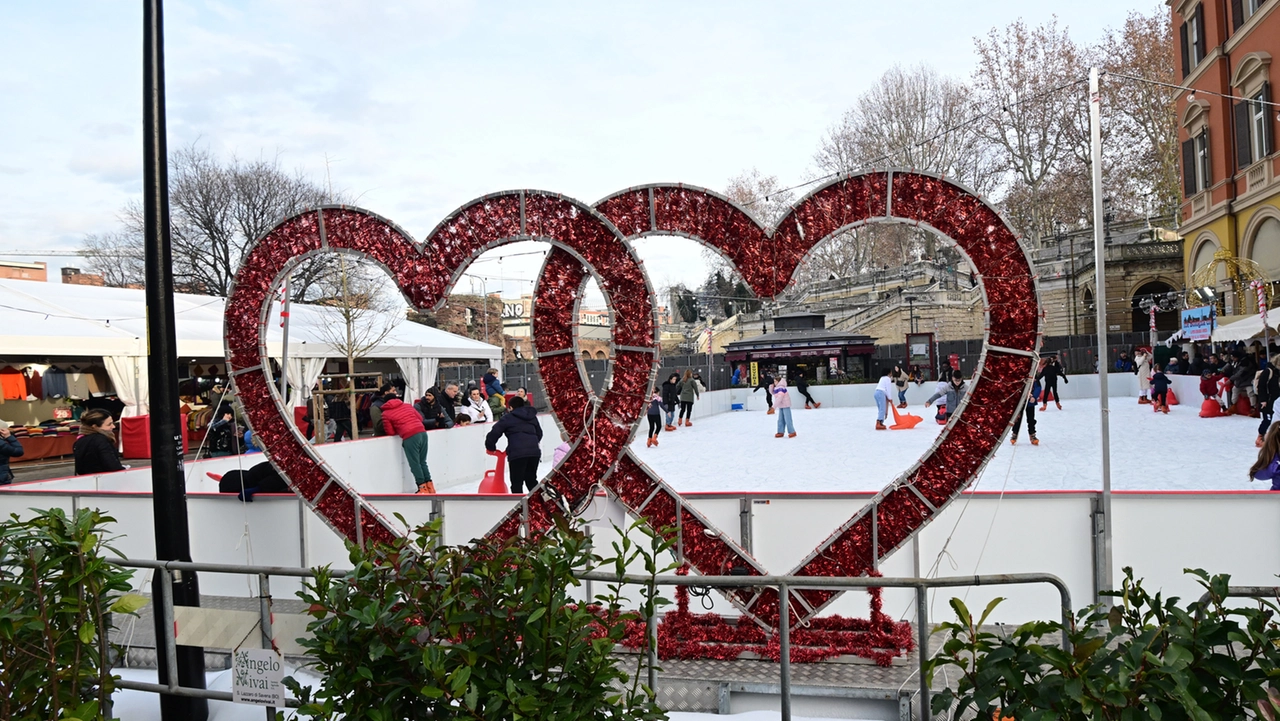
x,y
217,211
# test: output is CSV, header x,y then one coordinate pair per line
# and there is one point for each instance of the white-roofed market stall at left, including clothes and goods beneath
x,y
71,348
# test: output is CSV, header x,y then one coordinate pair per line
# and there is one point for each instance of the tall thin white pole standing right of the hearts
x,y
1100,300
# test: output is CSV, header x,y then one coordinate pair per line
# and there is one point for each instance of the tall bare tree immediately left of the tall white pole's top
x,y
1027,84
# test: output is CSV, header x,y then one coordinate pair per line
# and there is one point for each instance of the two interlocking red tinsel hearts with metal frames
x,y
595,240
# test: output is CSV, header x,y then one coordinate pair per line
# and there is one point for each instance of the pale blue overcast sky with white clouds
x,y
422,107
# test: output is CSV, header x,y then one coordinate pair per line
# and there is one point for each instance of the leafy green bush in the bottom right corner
x,y
1145,658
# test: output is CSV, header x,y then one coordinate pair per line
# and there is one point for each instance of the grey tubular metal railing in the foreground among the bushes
x,y
783,585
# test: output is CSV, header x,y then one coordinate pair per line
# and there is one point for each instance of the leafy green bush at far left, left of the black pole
x,y
56,591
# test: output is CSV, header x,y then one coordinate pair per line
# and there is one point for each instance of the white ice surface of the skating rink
x,y
839,450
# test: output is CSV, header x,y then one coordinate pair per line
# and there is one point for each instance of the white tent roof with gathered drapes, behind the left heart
x,y
58,321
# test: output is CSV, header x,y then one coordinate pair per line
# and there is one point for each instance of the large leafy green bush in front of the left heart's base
x,y
479,632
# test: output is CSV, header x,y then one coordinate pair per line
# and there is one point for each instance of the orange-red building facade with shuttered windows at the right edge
x,y
1227,130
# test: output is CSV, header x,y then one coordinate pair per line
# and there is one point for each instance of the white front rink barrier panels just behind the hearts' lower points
x,y
1158,533
